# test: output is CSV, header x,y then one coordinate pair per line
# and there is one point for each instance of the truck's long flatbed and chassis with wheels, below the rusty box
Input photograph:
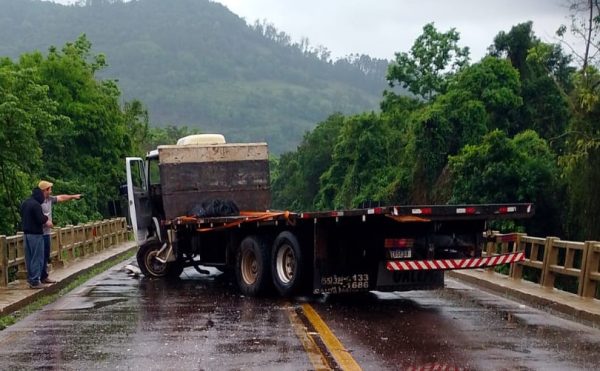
x,y
395,248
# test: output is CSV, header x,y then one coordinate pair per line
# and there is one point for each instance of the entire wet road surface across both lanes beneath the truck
x,y
116,321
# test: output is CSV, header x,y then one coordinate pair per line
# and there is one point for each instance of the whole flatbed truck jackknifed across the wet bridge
x,y
206,203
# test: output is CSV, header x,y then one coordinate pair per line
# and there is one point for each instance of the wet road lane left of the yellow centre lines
x,y
117,322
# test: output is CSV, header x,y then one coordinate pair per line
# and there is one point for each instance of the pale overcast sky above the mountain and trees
x,y
380,28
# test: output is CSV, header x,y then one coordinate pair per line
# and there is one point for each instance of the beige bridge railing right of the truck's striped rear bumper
x,y
547,259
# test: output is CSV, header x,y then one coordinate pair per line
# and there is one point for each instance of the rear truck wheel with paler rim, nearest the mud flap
x,y
287,264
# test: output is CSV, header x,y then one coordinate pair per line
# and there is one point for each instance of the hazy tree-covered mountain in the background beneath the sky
x,y
195,63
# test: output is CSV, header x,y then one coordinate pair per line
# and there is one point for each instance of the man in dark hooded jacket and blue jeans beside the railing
x,y
33,220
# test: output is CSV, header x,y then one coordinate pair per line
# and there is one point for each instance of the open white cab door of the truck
x,y
138,197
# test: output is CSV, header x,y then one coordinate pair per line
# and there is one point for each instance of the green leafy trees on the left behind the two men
x,y
59,122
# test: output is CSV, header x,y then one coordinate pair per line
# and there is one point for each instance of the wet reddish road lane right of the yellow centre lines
x,y
458,328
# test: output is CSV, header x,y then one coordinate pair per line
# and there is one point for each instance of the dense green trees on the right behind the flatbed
x,y
520,125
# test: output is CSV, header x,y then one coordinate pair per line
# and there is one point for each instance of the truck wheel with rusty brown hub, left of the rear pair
x,y
252,266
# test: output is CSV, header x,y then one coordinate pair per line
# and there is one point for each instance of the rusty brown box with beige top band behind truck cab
x,y
193,174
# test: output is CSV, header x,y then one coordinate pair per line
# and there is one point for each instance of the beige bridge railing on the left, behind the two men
x,y
68,243
